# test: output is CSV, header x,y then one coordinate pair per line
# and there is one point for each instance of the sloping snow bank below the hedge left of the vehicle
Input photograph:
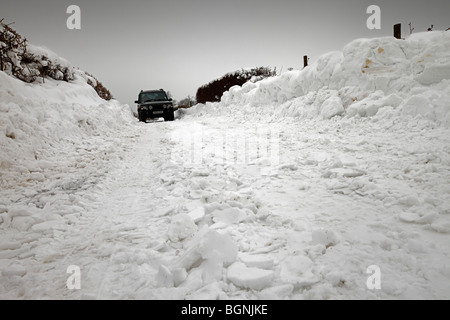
x,y
39,119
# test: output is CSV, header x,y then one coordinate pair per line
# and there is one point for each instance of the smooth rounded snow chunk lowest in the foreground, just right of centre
x,y
252,278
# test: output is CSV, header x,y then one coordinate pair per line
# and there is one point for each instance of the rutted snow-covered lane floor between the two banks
x,y
205,208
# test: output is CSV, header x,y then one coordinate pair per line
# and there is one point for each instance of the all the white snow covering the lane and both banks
x,y
293,187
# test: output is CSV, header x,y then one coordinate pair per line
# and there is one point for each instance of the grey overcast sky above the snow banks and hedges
x,y
180,45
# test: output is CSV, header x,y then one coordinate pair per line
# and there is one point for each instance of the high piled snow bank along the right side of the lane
x,y
381,76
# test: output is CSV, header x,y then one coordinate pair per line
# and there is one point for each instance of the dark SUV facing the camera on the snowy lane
x,y
155,104
